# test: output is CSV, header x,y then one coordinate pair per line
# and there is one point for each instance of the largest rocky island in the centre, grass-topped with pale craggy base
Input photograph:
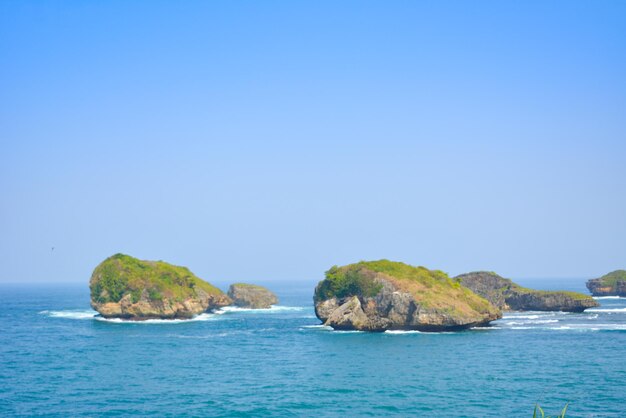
x,y
386,295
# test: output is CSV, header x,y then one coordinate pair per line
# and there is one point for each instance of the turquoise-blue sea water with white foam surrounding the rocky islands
x,y
58,359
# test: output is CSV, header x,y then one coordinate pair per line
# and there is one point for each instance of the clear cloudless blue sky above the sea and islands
x,y
270,140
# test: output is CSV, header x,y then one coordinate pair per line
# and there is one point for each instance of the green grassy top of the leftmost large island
x,y
121,274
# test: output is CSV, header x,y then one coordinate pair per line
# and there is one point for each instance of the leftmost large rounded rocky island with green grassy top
x,y
125,287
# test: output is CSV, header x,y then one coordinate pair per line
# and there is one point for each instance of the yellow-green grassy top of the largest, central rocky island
x,y
431,288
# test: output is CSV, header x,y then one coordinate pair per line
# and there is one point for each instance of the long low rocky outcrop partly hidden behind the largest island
x,y
507,295
